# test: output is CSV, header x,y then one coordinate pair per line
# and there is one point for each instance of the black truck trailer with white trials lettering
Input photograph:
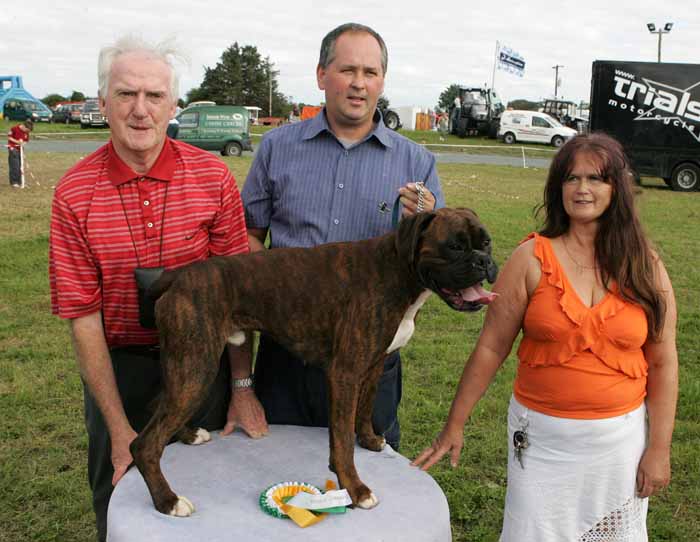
x,y
653,109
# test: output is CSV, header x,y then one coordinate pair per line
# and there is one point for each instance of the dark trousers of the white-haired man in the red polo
x,y
138,374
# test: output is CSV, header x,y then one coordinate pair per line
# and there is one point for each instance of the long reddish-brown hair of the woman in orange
x,y
622,251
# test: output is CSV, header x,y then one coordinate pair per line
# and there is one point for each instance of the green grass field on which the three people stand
x,y
42,438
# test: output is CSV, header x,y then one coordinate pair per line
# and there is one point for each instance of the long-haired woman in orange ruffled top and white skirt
x,y
593,405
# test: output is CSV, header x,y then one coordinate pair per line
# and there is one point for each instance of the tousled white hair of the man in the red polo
x,y
167,51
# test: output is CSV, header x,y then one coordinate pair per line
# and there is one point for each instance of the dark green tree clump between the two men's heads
x,y
242,77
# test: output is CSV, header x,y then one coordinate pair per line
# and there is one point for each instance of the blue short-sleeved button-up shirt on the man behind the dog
x,y
308,189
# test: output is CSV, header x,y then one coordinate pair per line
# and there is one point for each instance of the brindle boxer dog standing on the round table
x,y
342,306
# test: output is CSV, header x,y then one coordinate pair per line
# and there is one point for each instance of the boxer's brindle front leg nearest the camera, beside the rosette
x,y
343,393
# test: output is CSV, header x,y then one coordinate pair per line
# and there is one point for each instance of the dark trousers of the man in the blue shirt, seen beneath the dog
x,y
293,393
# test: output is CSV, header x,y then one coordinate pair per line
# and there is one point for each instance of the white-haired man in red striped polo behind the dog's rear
x,y
140,201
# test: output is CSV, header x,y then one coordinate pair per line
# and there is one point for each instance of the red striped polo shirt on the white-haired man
x,y
106,220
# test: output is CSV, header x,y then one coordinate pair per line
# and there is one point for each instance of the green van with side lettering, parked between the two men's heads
x,y
223,128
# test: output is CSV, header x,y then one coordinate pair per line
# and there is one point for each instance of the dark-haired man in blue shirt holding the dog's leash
x,y
334,178
